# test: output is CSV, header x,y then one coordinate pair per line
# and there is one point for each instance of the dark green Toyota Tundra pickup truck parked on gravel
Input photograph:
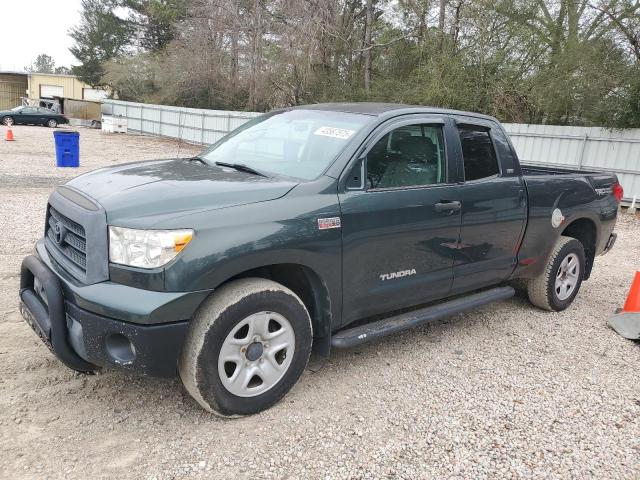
x,y
311,227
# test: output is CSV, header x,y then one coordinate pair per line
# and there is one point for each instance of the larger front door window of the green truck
x,y
411,155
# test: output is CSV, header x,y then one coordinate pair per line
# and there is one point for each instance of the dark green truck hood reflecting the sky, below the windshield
x,y
158,188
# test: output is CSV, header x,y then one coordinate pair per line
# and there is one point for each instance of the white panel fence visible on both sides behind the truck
x,y
588,148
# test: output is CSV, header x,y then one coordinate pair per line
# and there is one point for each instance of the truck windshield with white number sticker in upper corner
x,y
294,143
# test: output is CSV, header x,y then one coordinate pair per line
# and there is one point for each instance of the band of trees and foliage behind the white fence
x,y
573,62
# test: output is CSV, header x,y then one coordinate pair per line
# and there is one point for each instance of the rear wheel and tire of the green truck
x,y
560,282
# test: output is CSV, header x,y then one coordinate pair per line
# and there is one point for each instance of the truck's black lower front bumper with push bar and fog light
x,y
84,340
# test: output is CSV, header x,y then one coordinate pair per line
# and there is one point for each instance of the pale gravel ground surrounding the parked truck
x,y
506,391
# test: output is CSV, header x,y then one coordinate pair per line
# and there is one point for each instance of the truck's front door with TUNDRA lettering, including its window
x,y
401,226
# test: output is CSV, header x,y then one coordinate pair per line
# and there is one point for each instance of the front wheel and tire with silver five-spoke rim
x,y
227,345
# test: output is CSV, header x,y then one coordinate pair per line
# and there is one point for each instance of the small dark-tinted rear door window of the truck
x,y
479,156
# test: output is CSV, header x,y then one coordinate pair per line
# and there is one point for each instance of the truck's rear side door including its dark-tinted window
x,y
493,207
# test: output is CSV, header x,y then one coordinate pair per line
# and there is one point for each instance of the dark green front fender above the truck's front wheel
x,y
231,241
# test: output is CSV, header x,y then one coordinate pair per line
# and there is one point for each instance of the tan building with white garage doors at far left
x,y
14,86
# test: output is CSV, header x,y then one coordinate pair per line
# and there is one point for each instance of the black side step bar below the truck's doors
x,y
387,326
